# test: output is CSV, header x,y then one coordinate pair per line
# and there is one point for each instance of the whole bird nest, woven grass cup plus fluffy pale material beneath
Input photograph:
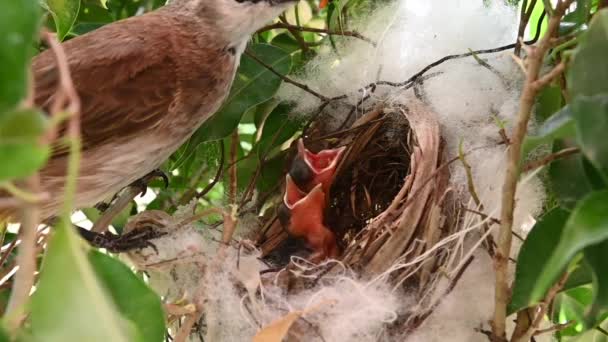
x,y
390,210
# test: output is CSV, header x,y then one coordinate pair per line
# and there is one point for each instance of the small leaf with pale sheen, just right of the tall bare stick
x,y
558,125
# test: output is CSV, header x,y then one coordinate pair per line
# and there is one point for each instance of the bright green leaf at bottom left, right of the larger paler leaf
x,y
135,300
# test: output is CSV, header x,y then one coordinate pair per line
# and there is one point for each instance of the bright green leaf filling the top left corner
x,y
19,22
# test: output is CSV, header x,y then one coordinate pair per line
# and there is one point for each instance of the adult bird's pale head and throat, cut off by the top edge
x,y
236,20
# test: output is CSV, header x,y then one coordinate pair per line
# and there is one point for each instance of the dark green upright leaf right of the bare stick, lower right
x,y
541,241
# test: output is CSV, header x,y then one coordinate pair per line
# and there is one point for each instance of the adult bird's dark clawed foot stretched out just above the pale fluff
x,y
136,239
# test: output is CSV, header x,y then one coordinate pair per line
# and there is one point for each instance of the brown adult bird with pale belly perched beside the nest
x,y
146,84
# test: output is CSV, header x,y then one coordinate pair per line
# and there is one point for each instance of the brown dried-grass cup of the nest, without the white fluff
x,y
390,206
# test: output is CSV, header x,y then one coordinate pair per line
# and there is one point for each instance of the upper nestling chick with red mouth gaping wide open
x,y
309,169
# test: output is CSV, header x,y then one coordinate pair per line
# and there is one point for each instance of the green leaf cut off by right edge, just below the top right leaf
x,y
591,116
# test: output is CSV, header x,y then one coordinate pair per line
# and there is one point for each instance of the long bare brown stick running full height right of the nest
x,y
531,88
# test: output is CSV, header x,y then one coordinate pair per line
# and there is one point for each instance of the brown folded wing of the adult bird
x,y
123,74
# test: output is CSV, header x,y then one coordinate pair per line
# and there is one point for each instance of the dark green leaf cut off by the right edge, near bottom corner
x,y
597,256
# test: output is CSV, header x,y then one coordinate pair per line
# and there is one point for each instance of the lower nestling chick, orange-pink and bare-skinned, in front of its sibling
x,y
302,215
